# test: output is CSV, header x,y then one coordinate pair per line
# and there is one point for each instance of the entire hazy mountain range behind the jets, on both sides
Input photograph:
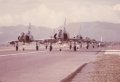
x,y
109,31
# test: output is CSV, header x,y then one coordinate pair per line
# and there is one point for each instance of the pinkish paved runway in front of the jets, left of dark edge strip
x,y
41,66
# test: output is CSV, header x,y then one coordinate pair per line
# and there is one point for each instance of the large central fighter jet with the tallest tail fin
x,y
62,37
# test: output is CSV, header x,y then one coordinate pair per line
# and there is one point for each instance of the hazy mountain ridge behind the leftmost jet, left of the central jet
x,y
11,33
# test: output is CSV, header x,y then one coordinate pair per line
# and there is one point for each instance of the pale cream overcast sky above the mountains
x,y
51,13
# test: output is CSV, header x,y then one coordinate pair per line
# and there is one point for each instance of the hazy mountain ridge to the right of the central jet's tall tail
x,y
109,31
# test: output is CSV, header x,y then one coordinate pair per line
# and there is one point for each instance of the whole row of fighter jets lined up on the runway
x,y
61,37
